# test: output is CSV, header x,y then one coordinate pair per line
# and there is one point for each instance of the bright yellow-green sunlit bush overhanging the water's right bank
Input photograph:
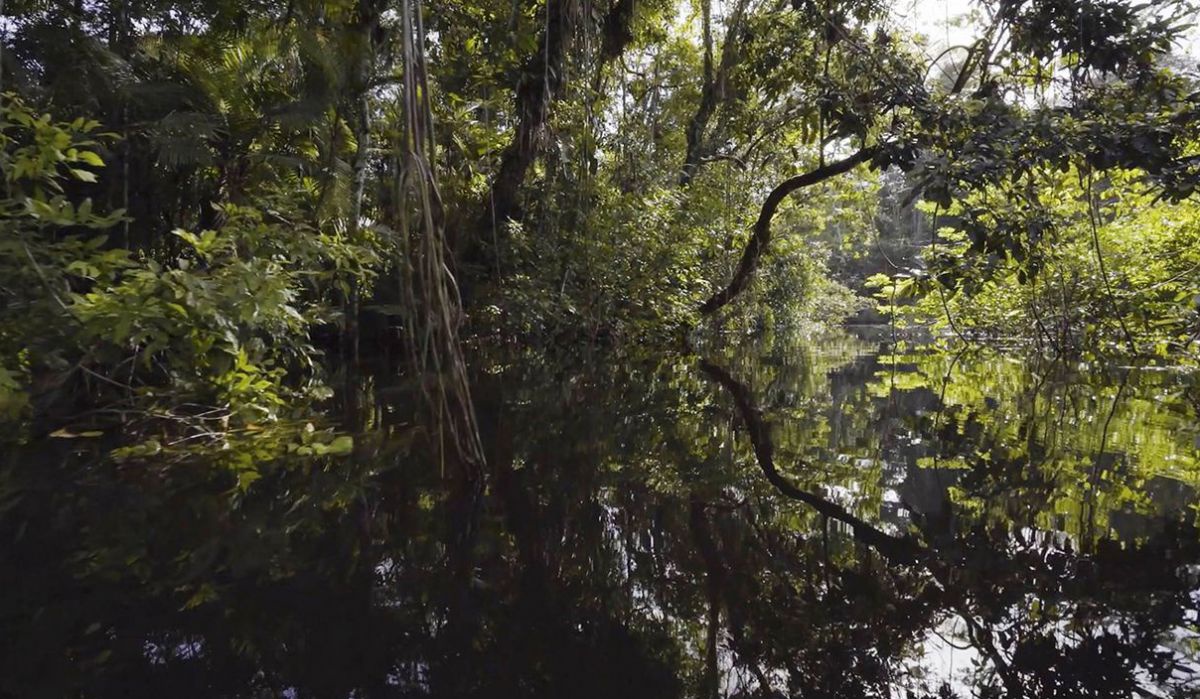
x,y
1118,277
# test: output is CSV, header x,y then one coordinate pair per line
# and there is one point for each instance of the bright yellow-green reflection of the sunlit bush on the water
x,y
1077,445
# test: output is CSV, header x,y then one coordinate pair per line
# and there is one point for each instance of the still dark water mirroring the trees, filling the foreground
x,y
783,518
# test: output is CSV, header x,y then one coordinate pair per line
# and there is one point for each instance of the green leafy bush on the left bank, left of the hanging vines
x,y
201,342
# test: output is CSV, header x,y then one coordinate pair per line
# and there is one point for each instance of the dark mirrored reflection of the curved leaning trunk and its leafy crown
x,y
1082,637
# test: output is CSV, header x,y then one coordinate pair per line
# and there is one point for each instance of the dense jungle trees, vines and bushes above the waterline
x,y
206,202
